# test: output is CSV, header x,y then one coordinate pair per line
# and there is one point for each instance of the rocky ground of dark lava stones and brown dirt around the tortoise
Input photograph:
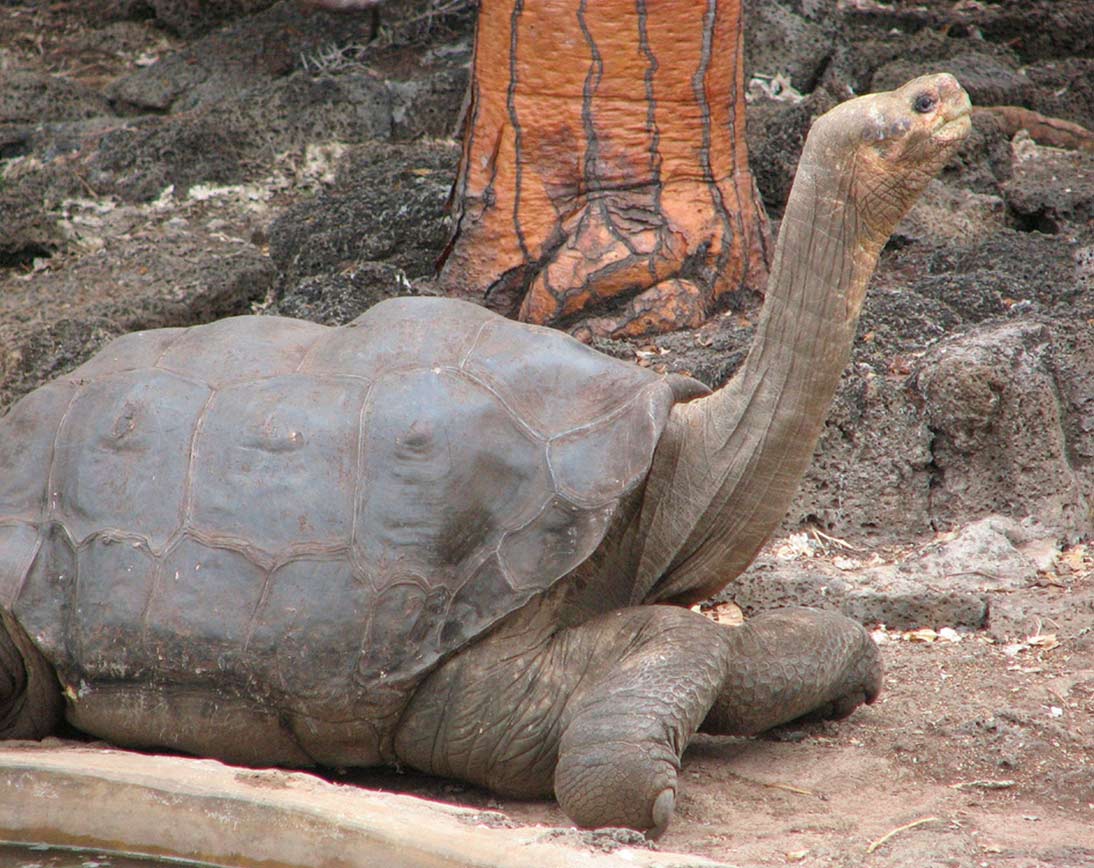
x,y
166,163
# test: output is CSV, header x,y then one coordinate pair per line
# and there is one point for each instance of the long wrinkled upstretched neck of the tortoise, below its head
x,y
728,466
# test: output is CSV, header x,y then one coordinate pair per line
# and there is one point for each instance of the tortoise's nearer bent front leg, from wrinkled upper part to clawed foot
x,y
599,713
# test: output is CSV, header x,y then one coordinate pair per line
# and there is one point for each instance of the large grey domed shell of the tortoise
x,y
309,512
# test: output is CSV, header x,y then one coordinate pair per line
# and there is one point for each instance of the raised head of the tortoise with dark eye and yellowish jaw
x,y
887,147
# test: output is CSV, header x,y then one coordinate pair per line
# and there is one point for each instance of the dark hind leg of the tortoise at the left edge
x,y
31,703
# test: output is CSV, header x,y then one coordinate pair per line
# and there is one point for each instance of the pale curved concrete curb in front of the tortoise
x,y
220,815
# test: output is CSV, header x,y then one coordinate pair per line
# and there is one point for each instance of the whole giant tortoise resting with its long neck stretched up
x,y
438,538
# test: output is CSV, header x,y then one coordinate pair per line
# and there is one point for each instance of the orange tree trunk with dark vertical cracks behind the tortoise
x,y
604,184
